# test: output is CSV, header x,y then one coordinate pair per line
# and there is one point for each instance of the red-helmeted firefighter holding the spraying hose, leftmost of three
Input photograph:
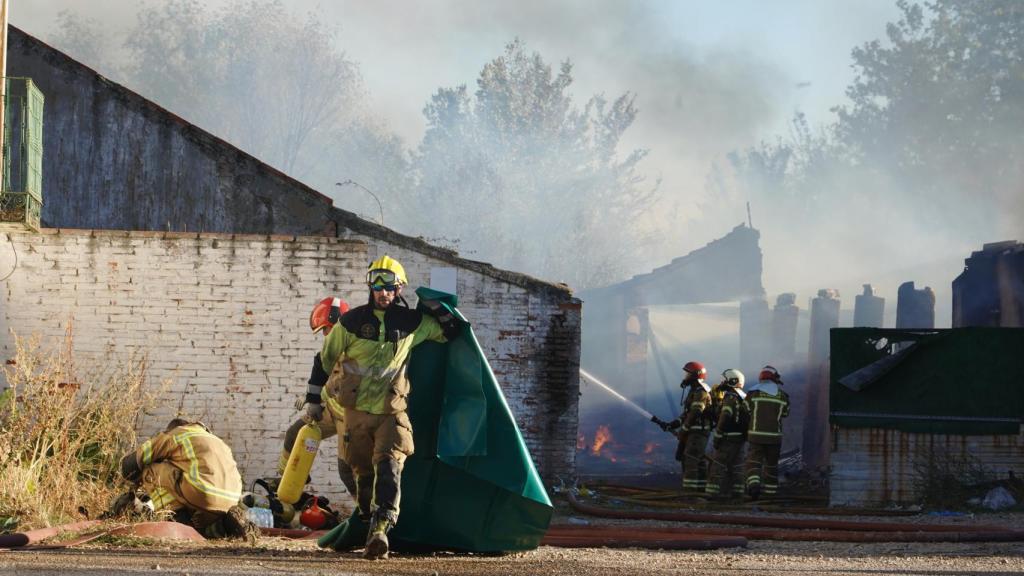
x,y
694,426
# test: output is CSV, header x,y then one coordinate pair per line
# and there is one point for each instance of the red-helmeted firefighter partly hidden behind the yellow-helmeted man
x,y
326,314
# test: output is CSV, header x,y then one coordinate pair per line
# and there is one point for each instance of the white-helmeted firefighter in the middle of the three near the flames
x,y
731,430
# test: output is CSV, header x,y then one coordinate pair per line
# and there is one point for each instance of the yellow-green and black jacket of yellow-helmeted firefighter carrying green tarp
x,y
367,355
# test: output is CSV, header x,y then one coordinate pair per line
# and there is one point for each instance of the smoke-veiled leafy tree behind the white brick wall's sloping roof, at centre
x,y
527,180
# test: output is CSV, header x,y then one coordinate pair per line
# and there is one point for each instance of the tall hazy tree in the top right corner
x,y
941,109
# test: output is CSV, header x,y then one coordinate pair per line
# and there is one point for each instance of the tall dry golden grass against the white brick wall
x,y
64,430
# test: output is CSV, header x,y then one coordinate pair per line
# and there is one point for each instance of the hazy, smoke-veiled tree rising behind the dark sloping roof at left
x,y
274,85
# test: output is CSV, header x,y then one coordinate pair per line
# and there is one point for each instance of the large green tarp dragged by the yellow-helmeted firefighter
x,y
472,484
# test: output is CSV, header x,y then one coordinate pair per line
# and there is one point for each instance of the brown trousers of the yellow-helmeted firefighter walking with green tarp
x,y
376,446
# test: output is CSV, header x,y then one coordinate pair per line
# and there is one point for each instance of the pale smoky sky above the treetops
x,y
408,50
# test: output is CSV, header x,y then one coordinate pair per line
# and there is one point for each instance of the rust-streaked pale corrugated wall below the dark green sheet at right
x,y
875,467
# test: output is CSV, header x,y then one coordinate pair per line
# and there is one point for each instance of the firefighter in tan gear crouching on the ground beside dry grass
x,y
190,472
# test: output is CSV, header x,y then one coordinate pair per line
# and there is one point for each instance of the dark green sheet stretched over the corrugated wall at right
x,y
956,382
